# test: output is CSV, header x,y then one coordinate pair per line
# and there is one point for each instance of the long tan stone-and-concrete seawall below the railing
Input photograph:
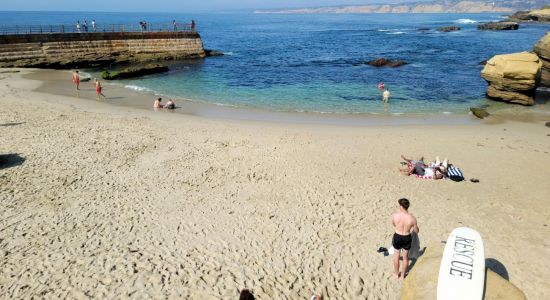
x,y
68,50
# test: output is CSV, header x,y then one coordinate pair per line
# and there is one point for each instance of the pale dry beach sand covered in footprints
x,y
107,201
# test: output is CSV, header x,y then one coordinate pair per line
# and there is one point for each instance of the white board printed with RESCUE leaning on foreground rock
x,y
462,270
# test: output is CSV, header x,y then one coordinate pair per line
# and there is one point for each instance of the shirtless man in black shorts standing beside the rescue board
x,y
403,222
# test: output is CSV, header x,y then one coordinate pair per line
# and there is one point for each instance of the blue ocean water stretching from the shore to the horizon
x,y
316,63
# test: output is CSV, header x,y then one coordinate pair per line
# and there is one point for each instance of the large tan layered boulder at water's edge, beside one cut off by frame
x,y
513,77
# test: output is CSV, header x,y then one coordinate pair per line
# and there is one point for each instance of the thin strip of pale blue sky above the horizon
x,y
173,5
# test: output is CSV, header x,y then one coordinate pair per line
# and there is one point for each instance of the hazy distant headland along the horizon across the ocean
x,y
438,6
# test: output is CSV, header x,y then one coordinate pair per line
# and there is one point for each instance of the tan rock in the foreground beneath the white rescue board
x,y
422,280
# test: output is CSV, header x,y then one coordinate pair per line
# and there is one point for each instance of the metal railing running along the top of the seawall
x,y
99,28
